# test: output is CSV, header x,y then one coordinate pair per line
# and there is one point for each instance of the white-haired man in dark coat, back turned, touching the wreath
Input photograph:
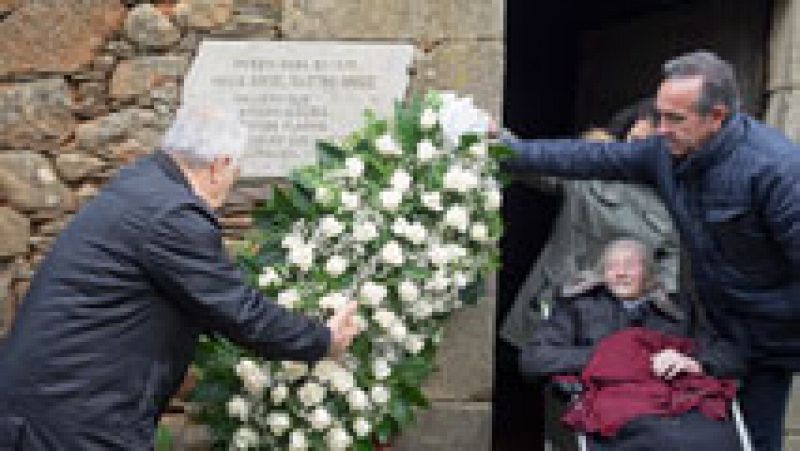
x,y
109,324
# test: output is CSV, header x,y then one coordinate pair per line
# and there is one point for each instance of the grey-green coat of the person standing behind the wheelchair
x,y
594,212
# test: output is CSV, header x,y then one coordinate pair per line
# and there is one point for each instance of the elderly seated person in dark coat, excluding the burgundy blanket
x,y
621,297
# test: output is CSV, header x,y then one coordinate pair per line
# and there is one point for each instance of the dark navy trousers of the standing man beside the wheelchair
x,y
764,397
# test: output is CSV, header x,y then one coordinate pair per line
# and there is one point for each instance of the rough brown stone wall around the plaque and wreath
x,y
89,85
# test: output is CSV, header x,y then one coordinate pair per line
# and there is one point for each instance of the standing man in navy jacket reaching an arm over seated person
x,y
732,185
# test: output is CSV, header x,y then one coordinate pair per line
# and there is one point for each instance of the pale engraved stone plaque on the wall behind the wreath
x,y
292,94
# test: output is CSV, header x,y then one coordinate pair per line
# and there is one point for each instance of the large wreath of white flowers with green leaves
x,y
408,225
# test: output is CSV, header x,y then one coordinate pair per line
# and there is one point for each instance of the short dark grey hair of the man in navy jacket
x,y
719,79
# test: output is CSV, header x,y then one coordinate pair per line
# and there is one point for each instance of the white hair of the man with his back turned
x,y
202,132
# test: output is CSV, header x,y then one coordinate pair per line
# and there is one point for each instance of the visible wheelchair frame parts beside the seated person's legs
x,y
558,437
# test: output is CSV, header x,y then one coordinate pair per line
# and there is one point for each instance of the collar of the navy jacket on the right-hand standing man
x,y
717,148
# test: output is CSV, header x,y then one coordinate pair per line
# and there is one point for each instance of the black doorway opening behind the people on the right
x,y
570,65
